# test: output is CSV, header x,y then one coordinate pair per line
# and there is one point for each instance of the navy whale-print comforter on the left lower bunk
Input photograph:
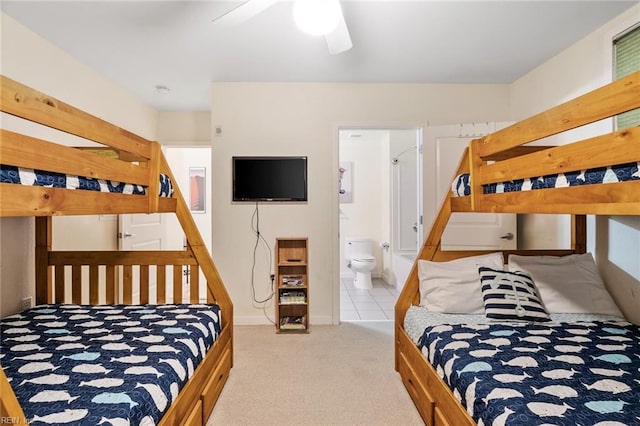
x,y
111,364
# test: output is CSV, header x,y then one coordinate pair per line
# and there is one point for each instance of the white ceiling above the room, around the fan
x,y
142,44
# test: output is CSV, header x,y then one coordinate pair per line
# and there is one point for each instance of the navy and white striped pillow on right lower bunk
x,y
511,296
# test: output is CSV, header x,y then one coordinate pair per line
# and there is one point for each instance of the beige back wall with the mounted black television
x,y
303,119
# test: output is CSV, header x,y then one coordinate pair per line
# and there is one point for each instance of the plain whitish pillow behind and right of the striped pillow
x,y
567,284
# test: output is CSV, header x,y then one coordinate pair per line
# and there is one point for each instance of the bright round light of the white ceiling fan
x,y
316,17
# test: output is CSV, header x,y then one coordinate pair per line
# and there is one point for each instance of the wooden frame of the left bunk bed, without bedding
x,y
109,278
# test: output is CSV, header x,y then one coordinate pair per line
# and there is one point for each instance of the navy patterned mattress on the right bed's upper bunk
x,y
612,174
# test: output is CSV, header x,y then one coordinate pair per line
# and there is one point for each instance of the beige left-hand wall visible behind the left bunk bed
x,y
32,60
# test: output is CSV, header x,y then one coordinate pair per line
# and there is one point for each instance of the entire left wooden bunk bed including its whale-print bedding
x,y
126,313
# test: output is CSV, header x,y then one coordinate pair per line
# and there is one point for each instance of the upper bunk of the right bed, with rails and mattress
x,y
502,173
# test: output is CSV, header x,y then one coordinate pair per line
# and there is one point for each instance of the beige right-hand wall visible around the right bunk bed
x,y
583,67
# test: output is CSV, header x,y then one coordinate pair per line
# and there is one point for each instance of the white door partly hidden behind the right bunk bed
x,y
466,231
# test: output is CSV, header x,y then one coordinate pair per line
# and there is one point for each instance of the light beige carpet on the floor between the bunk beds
x,y
335,375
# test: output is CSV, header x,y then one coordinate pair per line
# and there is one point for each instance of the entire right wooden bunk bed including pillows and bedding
x,y
451,358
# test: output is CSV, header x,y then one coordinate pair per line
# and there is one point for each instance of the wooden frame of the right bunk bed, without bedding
x,y
505,156
